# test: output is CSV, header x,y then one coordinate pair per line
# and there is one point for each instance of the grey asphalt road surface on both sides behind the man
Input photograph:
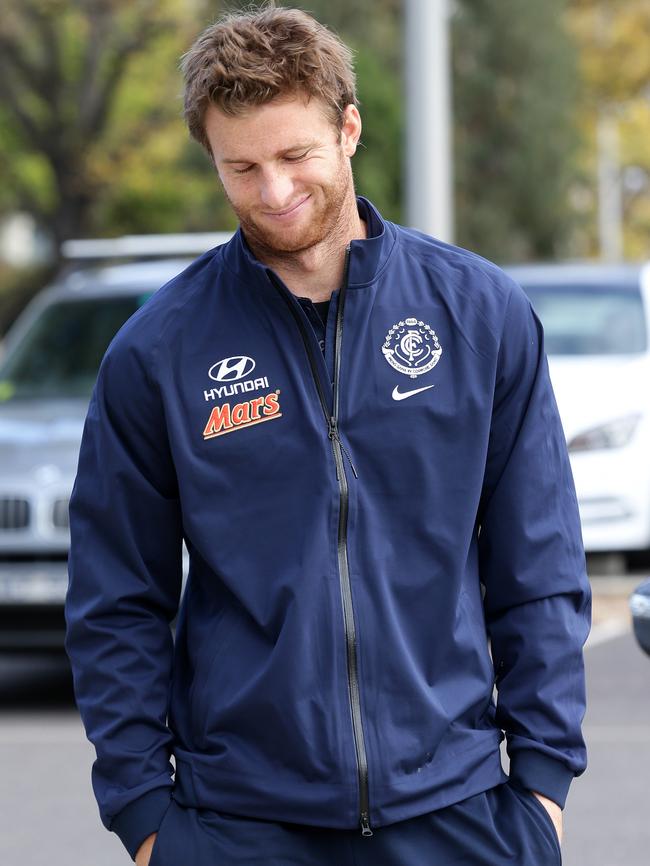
x,y
48,815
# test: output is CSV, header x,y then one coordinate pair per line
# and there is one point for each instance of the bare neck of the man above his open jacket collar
x,y
316,272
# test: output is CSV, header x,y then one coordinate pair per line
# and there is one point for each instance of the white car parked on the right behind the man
x,y
596,321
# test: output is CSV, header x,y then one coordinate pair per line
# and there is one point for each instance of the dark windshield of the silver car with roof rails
x,y
59,356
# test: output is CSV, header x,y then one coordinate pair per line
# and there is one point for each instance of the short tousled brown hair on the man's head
x,y
250,58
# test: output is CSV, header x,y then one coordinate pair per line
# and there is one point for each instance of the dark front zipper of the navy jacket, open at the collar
x,y
342,546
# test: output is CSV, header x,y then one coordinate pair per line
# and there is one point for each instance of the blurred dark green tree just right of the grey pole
x,y
515,135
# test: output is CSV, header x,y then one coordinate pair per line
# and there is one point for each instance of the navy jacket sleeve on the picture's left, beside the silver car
x,y
125,580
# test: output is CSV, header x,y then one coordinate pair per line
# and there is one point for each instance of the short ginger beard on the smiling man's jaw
x,y
325,213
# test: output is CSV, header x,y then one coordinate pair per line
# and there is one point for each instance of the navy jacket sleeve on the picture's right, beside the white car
x,y
532,565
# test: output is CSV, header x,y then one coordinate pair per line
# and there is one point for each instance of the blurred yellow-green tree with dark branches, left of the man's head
x,y
90,104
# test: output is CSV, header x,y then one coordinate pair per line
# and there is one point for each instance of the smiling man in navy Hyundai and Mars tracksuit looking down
x,y
365,569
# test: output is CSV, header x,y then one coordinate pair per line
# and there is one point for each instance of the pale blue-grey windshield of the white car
x,y
590,320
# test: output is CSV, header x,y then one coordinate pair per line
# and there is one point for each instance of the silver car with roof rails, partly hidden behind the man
x,y
47,371
